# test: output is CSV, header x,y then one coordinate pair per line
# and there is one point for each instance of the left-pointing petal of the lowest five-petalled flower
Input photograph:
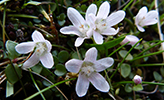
x,y
73,65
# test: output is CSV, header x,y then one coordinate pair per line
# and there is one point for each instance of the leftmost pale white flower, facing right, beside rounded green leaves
x,y
41,48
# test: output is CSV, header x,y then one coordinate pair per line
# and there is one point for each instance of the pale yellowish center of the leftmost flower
x,y
41,48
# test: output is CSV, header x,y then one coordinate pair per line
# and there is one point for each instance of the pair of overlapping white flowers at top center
x,y
95,23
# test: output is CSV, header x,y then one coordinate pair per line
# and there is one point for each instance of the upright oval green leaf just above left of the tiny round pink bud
x,y
125,70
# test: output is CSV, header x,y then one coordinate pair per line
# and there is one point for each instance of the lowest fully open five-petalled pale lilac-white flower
x,y
88,71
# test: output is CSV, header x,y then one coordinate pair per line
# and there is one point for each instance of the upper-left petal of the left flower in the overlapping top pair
x,y
75,17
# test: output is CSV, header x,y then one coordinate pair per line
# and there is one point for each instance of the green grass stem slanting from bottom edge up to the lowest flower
x,y
43,90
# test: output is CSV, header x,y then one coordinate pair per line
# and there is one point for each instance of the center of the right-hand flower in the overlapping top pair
x,y
100,25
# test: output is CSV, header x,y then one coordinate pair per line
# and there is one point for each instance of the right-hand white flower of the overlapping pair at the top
x,y
102,23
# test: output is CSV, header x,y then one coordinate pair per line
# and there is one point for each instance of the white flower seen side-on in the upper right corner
x,y
145,18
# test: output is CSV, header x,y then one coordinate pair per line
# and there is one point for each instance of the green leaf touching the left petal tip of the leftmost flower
x,y
10,46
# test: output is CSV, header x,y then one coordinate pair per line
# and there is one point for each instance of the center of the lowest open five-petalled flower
x,y
87,68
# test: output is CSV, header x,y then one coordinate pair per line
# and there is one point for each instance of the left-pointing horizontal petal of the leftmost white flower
x,y
25,47
